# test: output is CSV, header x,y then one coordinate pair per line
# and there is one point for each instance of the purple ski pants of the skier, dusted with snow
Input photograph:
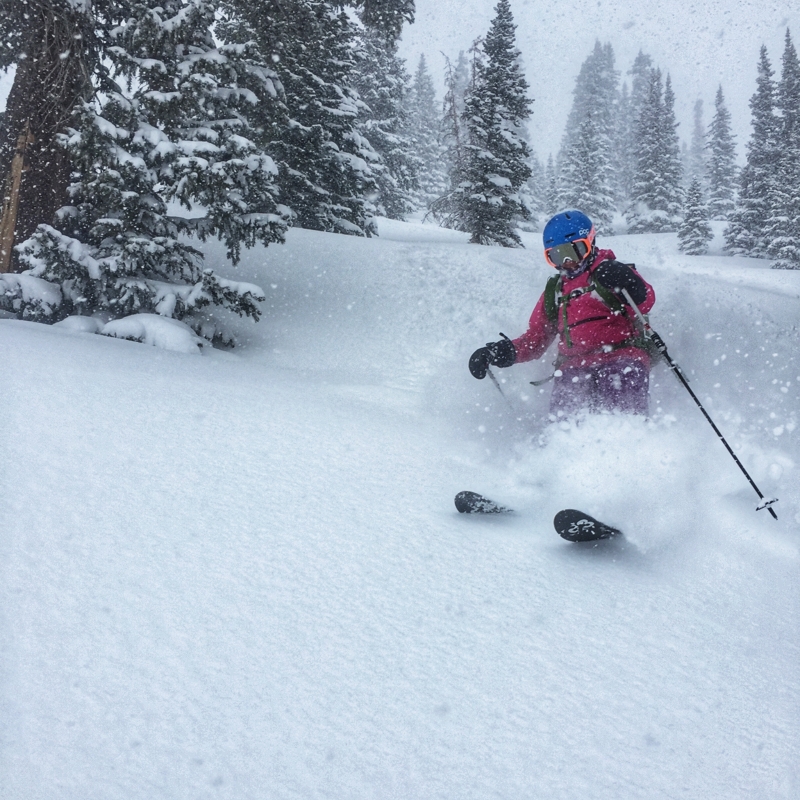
x,y
617,385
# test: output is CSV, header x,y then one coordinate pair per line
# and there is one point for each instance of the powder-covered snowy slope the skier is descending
x,y
241,575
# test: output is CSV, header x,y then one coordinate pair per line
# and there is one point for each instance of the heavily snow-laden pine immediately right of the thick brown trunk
x,y
199,95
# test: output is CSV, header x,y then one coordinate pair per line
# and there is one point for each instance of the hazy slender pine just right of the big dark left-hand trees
x,y
424,125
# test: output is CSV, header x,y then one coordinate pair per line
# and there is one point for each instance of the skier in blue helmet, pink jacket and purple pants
x,y
601,363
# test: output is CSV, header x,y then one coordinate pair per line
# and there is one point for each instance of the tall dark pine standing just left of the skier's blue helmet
x,y
496,153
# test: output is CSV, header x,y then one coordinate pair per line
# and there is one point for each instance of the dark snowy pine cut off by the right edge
x,y
784,222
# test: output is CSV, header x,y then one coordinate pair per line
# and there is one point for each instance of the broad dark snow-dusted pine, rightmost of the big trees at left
x,y
324,160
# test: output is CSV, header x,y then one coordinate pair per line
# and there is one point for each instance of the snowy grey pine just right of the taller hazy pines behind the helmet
x,y
657,196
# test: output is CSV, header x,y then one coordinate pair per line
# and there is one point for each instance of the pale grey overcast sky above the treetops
x,y
701,44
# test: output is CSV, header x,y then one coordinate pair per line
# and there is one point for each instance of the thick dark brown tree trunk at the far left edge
x,y
51,78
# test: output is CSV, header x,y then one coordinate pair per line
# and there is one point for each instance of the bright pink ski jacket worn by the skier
x,y
596,332
